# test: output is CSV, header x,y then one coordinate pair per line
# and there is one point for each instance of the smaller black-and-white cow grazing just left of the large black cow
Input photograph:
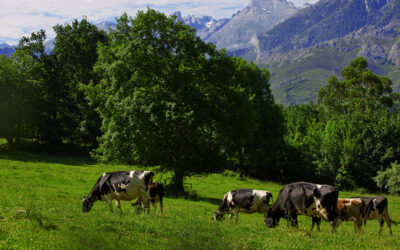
x,y
243,200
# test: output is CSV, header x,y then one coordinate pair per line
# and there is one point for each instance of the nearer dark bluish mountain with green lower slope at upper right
x,y
303,51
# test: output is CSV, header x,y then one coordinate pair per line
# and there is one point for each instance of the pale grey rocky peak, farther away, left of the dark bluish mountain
x,y
239,35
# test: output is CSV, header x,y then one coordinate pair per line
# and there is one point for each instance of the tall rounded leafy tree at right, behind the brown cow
x,y
356,140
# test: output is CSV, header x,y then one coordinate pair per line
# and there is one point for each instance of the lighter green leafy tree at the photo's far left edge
x,y
19,96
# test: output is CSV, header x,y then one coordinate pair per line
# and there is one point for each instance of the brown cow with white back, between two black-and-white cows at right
x,y
351,209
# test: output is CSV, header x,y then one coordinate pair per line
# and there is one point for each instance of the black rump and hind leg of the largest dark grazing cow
x,y
325,199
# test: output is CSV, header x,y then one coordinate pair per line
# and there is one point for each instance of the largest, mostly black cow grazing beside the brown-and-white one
x,y
303,198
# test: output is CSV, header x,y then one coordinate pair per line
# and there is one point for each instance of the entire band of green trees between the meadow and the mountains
x,y
150,92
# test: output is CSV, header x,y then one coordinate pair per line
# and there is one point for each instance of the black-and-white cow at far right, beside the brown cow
x,y
377,208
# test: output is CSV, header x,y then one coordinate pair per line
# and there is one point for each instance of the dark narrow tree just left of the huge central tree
x,y
70,69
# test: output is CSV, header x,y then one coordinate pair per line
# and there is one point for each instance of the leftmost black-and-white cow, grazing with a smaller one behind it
x,y
120,185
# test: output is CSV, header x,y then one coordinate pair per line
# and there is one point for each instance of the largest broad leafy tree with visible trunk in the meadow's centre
x,y
169,99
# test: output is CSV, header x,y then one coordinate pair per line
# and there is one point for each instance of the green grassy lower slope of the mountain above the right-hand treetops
x,y
300,81
